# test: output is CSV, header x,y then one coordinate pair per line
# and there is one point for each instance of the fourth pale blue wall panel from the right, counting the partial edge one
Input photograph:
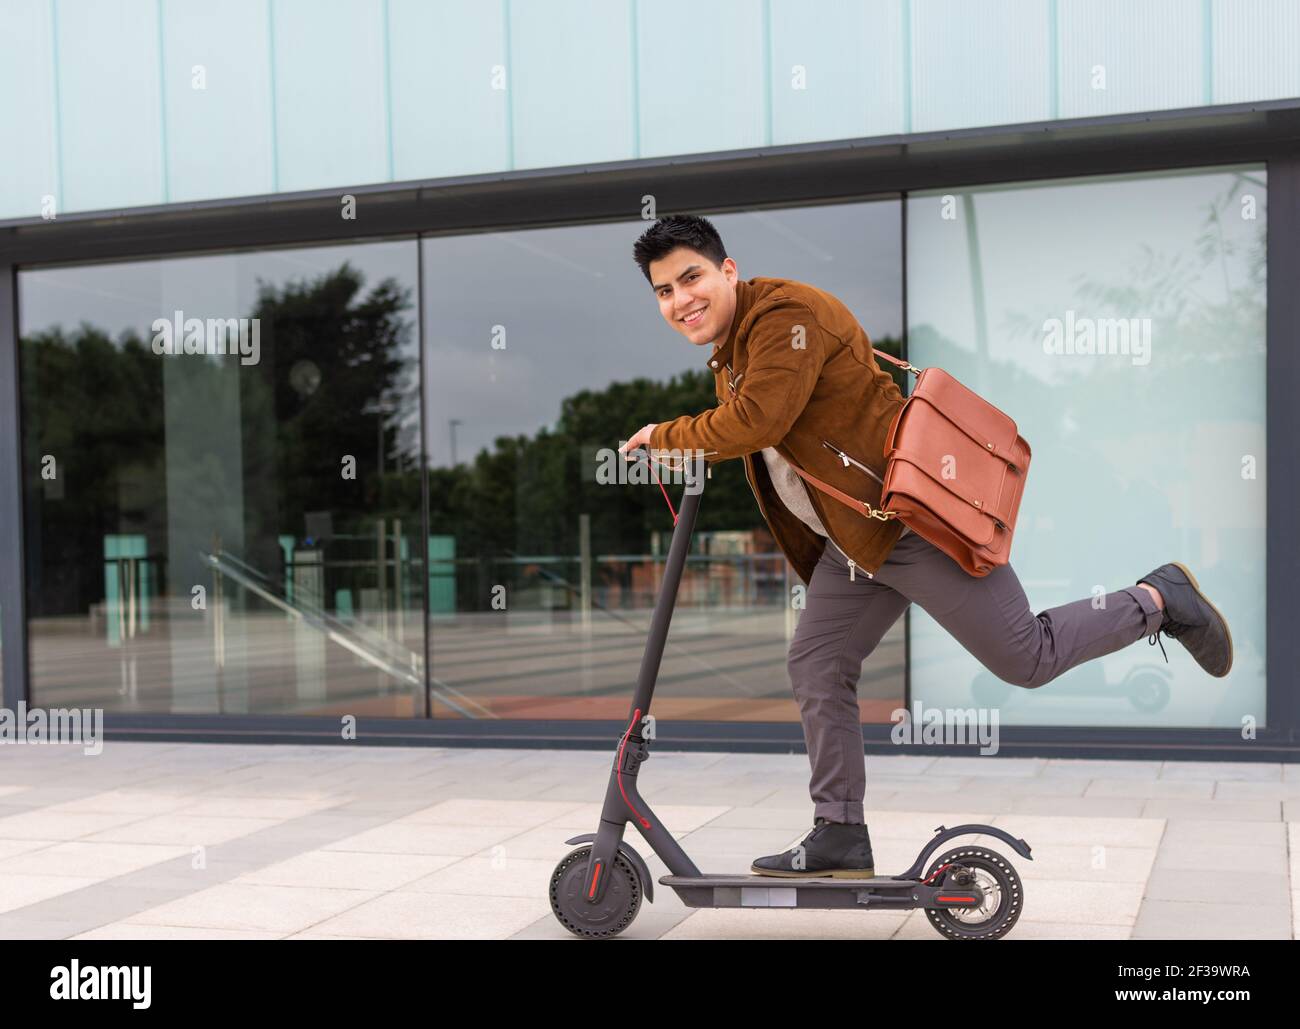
x,y
837,70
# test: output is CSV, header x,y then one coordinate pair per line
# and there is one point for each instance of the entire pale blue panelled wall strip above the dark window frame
x,y
333,94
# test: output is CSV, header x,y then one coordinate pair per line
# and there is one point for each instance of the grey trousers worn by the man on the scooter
x,y
844,620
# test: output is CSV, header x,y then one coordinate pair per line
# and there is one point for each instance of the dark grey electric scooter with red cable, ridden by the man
x,y
969,893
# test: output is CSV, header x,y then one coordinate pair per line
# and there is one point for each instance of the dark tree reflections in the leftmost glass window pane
x,y
103,409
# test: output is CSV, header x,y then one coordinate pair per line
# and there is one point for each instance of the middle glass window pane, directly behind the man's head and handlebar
x,y
547,346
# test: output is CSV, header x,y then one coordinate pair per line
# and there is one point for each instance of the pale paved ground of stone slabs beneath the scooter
x,y
159,841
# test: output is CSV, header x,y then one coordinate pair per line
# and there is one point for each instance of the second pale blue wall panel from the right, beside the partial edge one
x,y
1120,57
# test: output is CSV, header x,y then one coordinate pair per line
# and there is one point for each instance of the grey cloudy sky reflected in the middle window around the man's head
x,y
578,314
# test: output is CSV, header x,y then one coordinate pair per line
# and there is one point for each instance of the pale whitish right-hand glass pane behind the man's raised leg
x,y
1134,464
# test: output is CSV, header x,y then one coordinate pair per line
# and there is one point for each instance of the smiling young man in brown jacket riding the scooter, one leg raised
x,y
795,376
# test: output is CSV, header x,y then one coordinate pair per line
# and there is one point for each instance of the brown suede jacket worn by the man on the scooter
x,y
795,372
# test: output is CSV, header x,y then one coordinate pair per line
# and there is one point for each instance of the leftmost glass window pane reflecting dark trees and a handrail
x,y
235,531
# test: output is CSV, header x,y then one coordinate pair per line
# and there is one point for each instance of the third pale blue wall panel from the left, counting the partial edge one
x,y
216,60
